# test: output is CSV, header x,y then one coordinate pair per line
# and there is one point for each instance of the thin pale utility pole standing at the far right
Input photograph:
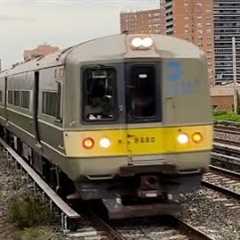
x,y
235,88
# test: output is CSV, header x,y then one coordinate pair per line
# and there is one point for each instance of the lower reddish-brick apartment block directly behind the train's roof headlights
x,y
148,22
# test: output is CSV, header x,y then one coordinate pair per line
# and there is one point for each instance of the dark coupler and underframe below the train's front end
x,y
135,181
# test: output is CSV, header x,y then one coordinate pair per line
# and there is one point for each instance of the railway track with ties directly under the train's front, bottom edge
x,y
144,229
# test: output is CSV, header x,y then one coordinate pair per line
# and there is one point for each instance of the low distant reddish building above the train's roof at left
x,y
40,51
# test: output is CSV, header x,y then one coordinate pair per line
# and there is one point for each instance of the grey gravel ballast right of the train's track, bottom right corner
x,y
213,213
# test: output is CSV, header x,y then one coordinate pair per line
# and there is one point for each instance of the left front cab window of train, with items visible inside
x,y
99,94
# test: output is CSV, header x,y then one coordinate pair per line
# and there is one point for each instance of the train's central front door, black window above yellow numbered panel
x,y
143,107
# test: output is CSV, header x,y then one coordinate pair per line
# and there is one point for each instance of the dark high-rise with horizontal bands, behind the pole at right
x,y
226,26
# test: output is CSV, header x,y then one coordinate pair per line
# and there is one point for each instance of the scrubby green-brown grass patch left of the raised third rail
x,y
27,211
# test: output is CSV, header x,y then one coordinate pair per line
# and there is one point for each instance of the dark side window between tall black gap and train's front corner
x,y
50,103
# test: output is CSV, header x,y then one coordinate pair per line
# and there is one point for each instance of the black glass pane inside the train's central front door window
x,y
141,97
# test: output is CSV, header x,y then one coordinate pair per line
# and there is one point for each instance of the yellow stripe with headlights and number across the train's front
x,y
144,141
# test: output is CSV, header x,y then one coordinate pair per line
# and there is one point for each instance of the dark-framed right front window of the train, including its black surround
x,y
143,98
